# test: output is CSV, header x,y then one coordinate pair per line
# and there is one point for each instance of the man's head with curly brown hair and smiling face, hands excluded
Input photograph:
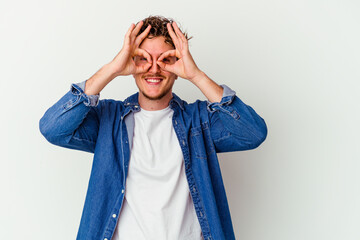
x,y
156,84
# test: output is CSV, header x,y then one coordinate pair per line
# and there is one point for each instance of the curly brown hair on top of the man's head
x,y
158,28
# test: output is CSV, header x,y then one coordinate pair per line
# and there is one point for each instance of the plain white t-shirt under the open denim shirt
x,y
157,203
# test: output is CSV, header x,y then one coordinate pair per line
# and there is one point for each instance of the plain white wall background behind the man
x,y
295,62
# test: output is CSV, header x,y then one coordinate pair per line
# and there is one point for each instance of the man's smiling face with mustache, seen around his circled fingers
x,y
155,84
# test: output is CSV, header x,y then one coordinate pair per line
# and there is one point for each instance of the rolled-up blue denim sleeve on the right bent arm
x,y
234,125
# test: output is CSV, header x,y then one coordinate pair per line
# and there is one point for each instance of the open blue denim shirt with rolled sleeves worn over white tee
x,y
105,128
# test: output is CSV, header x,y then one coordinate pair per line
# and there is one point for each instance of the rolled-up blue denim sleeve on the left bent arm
x,y
73,121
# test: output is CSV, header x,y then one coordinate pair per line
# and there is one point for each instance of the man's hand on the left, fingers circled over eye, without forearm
x,y
124,64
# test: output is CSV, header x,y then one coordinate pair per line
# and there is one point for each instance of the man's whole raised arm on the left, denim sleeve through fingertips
x,y
73,121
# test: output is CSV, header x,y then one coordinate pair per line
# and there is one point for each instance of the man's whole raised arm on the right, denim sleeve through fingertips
x,y
234,125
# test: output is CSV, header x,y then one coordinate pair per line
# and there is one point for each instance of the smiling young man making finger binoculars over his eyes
x,y
155,172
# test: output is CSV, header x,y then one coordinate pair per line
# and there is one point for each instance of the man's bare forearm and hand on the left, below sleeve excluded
x,y
123,64
